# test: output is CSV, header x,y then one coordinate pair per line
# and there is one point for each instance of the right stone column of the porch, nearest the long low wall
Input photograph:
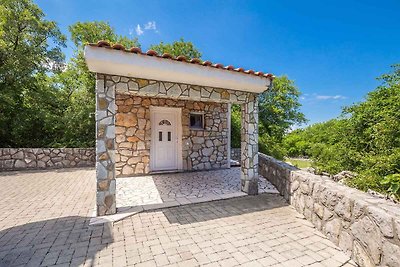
x,y
249,146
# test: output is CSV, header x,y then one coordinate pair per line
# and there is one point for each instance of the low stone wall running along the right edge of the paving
x,y
365,227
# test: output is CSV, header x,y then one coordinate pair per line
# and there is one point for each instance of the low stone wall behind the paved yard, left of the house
x,y
40,158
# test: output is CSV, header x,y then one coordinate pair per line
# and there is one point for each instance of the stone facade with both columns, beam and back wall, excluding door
x,y
203,149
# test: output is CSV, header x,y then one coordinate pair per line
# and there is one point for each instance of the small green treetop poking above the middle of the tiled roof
x,y
177,48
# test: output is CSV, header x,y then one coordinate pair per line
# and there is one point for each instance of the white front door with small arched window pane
x,y
165,125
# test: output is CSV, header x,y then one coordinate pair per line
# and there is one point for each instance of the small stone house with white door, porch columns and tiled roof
x,y
160,113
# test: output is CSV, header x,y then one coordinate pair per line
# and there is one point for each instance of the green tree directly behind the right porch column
x,y
278,112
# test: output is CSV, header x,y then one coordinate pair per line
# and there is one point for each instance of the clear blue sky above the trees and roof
x,y
333,50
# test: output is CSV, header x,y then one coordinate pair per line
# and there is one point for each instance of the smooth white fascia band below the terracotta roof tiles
x,y
149,66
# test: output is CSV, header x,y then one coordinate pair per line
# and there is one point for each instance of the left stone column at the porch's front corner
x,y
105,146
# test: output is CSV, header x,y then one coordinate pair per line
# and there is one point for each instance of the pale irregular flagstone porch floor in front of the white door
x,y
174,189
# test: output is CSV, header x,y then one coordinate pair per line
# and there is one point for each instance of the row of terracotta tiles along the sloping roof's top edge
x,y
137,50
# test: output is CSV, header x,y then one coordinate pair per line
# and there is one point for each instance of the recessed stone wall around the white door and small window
x,y
201,149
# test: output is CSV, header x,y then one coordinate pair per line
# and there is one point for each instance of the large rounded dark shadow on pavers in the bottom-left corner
x,y
67,240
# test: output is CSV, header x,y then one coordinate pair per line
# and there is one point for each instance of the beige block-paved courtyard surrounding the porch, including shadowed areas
x,y
44,221
